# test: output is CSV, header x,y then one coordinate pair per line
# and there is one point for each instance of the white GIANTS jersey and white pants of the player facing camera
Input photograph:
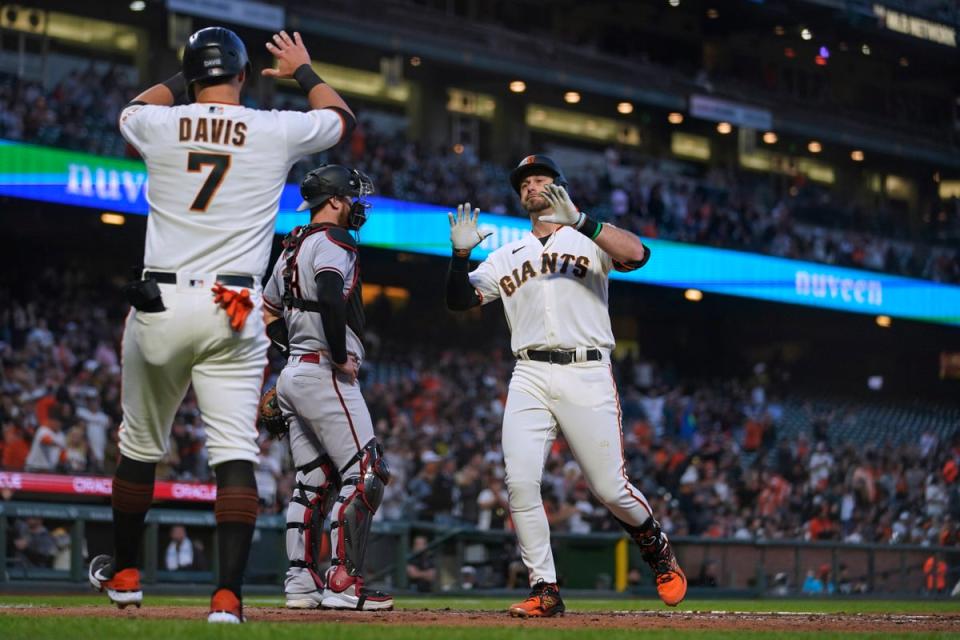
x,y
555,298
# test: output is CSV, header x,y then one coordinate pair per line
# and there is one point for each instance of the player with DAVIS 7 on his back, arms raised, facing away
x,y
216,171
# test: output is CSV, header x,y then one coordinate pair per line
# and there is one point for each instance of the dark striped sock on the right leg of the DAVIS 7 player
x,y
236,512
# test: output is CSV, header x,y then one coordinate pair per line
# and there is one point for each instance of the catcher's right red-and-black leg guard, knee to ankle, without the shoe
x,y
359,499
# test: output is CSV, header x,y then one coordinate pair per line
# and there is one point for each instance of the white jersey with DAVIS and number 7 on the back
x,y
216,172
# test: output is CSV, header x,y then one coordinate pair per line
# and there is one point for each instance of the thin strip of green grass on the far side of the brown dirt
x,y
801,605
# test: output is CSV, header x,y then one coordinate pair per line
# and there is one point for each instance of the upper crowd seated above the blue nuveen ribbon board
x,y
730,209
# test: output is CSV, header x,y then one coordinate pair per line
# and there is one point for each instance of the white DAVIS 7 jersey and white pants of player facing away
x,y
215,175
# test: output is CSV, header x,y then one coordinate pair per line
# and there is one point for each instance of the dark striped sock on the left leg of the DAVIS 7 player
x,y
131,499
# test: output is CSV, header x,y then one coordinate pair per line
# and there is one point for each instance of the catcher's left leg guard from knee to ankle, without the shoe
x,y
313,497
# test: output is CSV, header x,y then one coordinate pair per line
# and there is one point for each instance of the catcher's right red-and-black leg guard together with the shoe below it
x,y
360,496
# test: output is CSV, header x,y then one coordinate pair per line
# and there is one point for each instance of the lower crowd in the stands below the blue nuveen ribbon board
x,y
706,453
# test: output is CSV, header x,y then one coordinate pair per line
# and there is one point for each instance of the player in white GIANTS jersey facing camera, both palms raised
x,y
554,284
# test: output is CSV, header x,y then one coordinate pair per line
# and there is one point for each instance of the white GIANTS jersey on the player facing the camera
x,y
554,295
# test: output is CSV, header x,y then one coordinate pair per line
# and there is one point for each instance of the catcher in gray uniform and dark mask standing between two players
x,y
313,308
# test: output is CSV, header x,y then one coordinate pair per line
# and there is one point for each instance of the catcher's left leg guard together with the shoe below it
x,y
312,500
